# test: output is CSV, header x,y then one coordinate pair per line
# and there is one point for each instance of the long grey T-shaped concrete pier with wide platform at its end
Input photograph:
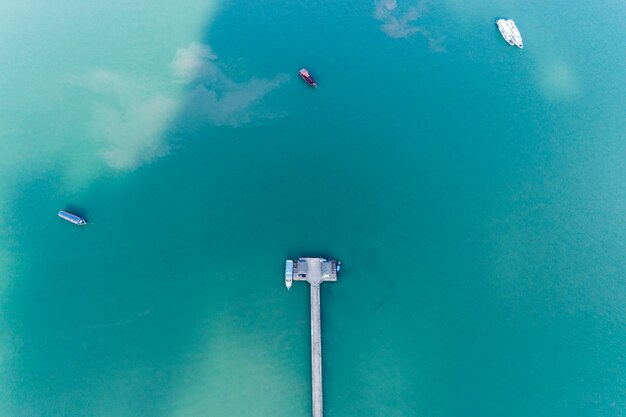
x,y
315,271
